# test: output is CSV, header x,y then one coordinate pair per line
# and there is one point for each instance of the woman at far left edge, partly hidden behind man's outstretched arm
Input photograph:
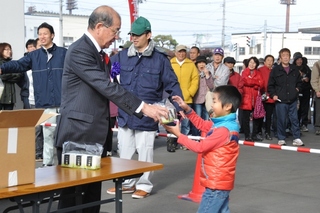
x,y
8,97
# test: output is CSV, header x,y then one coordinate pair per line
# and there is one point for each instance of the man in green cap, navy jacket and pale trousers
x,y
147,73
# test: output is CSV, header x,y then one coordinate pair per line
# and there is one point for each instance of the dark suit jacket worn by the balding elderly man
x,y
86,91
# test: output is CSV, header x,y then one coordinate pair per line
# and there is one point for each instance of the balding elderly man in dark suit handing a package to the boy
x,y
86,91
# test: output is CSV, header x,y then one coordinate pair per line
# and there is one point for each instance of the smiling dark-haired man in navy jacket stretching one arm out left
x,y
47,66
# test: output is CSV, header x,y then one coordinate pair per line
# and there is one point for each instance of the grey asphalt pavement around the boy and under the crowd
x,y
267,181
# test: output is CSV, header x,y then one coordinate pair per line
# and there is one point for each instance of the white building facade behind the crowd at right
x,y
246,45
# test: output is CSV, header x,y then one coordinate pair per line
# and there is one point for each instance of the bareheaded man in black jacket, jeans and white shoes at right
x,y
283,86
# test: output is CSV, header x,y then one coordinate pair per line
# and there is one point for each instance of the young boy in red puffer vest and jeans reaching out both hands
x,y
219,149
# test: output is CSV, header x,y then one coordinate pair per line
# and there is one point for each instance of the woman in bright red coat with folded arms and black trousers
x,y
252,83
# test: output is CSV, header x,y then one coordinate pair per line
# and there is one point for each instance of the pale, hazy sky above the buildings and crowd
x,y
201,20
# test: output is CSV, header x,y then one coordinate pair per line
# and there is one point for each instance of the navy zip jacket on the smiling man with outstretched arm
x,y
47,74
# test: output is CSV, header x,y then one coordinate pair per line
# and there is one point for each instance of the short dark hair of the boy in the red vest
x,y
229,94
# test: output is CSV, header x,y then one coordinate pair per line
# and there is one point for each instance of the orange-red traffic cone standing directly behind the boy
x,y
197,190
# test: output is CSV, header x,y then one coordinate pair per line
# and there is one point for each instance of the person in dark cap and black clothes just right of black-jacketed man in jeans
x,y
304,94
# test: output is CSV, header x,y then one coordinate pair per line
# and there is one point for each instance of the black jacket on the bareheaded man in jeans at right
x,y
284,85
